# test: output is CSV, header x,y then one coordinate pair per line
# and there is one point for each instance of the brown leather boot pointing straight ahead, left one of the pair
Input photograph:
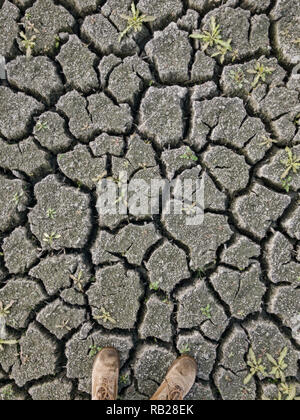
x,y
106,375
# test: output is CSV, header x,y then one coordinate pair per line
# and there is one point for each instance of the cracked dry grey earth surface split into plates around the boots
x,y
86,106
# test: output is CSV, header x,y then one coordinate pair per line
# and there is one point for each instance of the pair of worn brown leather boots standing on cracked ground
x,y
176,385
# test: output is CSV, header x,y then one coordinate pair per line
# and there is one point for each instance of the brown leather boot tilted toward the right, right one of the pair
x,y
179,380
